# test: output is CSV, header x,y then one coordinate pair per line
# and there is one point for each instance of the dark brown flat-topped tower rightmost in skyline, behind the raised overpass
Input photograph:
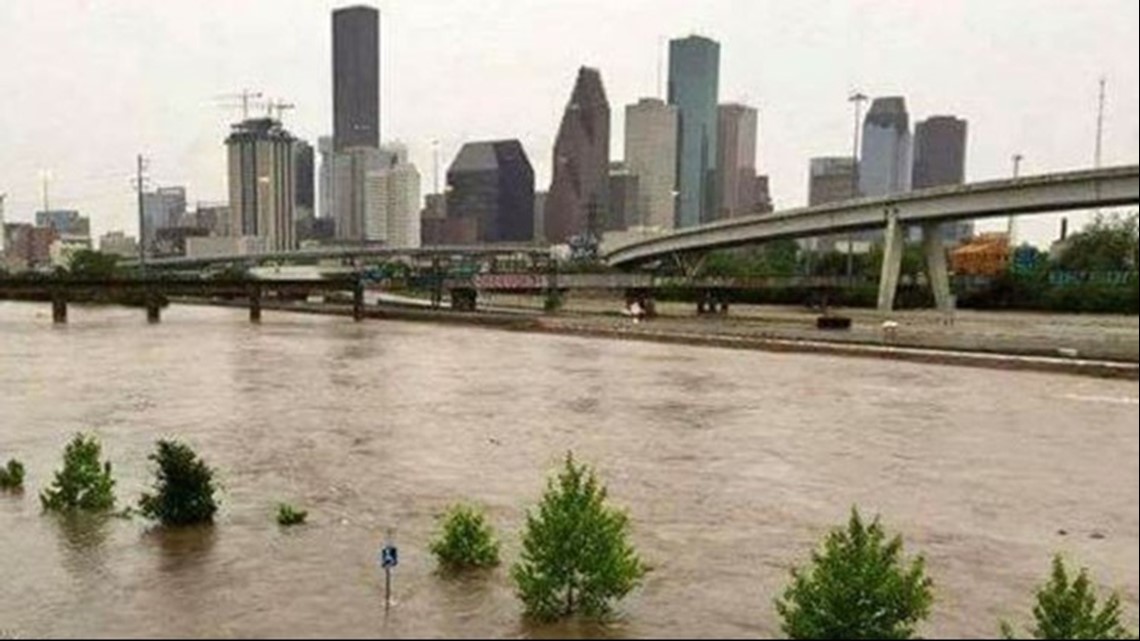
x,y
940,161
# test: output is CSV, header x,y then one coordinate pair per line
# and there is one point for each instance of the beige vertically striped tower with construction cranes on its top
x,y
262,183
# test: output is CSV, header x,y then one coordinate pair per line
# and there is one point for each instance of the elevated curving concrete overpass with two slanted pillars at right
x,y
926,209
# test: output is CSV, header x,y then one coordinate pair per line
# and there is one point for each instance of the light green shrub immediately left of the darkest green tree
x,y
85,483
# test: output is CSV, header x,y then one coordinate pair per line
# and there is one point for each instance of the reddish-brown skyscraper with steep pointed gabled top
x,y
580,192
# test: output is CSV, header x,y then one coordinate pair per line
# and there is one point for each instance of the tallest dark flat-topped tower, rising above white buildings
x,y
356,78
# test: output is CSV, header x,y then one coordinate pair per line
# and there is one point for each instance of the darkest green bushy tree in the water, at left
x,y
184,489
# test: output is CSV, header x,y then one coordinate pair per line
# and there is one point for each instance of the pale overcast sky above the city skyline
x,y
87,85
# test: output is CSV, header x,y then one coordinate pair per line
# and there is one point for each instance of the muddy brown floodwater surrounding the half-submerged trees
x,y
732,466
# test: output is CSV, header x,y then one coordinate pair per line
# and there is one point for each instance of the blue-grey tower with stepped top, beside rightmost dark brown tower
x,y
885,167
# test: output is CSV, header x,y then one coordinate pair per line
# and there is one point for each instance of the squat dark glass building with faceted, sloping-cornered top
x,y
491,196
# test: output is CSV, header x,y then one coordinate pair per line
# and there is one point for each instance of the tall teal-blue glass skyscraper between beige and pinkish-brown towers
x,y
695,72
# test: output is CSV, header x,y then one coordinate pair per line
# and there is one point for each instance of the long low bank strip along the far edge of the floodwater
x,y
738,335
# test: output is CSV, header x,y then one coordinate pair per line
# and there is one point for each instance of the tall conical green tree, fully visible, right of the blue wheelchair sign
x,y
576,554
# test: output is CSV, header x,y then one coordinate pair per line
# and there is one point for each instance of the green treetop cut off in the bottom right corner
x,y
1068,610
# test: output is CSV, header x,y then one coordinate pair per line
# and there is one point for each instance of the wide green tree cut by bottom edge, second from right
x,y
859,587
